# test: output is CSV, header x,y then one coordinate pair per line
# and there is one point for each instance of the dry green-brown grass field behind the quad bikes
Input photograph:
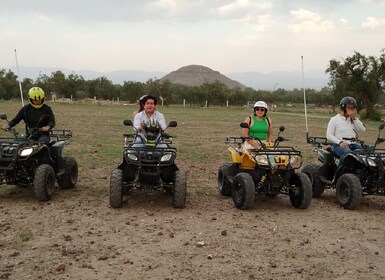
x,y
200,137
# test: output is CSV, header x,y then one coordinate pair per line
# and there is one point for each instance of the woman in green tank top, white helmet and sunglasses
x,y
260,126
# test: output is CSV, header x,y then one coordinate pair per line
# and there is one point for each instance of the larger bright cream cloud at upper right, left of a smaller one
x,y
307,21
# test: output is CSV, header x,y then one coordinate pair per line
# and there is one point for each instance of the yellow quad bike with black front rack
x,y
268,170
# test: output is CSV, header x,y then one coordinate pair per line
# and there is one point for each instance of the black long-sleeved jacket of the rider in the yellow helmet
x,y
31,117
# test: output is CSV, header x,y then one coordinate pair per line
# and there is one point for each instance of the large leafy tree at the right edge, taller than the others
x,y
360,77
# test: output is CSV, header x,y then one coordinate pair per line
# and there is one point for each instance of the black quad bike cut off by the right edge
x,y
362,172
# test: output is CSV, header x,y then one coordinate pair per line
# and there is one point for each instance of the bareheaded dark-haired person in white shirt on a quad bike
x,y
149,115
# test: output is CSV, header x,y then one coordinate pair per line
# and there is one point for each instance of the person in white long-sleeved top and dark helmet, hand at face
x,y
342,128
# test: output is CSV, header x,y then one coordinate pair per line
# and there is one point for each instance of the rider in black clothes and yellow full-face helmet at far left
x,y
32,114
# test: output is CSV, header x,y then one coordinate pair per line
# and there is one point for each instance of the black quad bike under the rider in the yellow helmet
x,y
29,163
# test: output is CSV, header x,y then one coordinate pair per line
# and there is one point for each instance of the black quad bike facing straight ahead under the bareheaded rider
x,y
148,165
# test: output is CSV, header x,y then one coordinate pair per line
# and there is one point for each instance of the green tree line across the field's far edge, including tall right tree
x,y
358,76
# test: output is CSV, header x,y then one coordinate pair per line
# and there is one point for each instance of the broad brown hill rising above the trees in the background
x,y
195,75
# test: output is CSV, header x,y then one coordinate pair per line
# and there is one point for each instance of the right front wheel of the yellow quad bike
x,y
300,192
